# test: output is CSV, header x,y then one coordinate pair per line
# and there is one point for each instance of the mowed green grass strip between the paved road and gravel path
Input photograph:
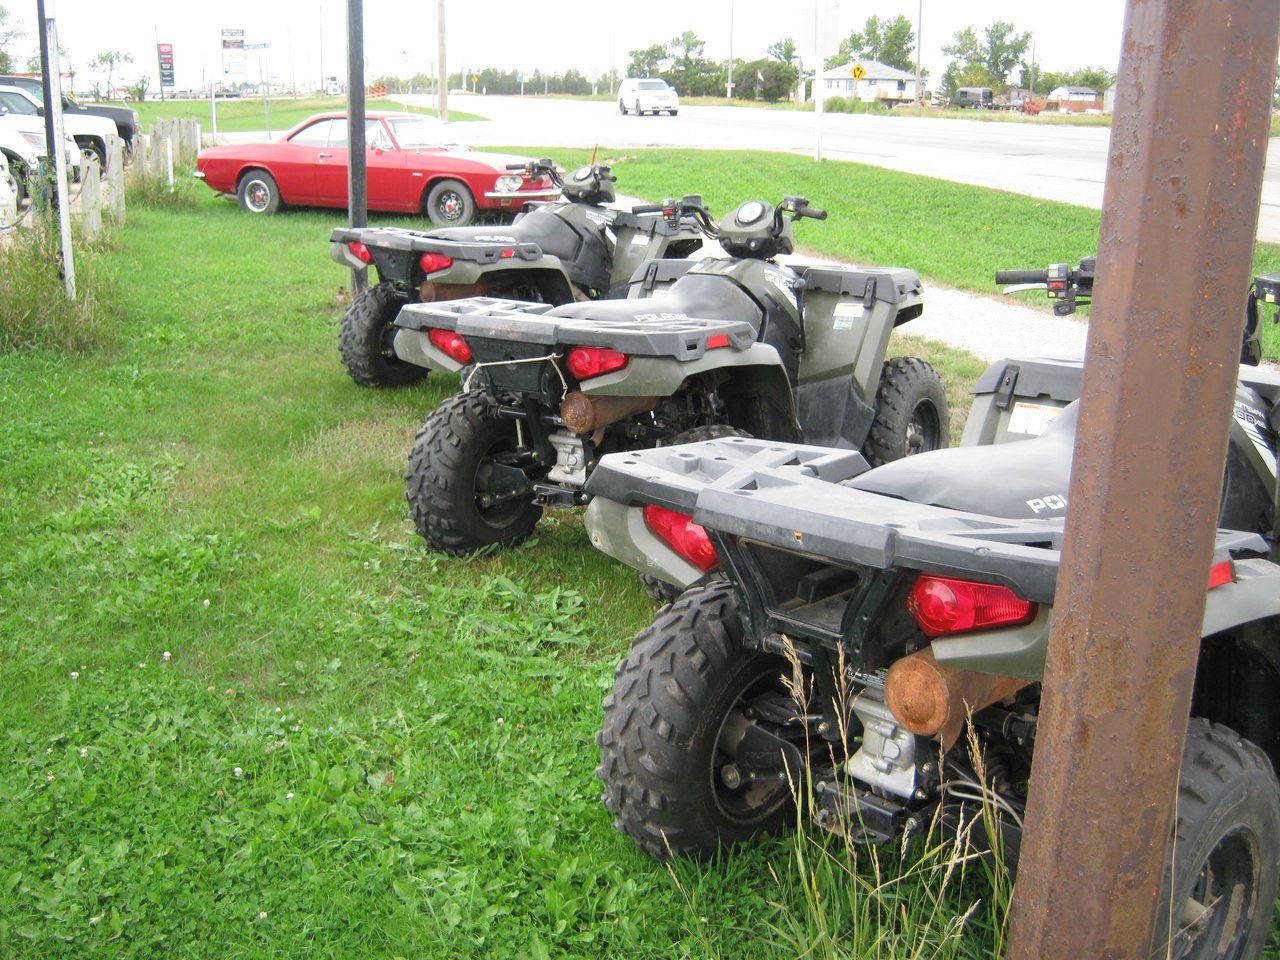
x,y
949,232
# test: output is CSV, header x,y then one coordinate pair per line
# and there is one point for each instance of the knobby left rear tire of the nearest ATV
x,y
662,721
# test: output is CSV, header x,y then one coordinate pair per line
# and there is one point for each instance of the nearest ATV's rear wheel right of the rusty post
x,y
1224,866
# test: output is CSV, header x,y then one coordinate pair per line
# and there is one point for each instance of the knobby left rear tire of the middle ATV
x,y
441,483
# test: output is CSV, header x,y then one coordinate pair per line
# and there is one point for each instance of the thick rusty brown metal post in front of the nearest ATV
x,y
1188,152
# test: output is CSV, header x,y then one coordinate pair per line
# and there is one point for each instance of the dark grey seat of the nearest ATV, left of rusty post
x,y
1021,481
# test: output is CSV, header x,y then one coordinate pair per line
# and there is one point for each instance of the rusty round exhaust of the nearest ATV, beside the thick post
x,y
930,698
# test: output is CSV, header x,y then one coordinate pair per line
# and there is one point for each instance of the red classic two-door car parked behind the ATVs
x,y
412,170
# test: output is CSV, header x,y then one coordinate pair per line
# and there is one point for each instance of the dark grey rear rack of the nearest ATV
x,y
792,497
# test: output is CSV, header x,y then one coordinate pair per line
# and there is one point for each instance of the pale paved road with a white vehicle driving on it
x,y
1050,162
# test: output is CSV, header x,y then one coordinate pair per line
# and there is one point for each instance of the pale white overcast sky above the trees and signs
x,y
400,35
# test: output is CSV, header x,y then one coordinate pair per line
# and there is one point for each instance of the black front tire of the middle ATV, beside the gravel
x,y
912,413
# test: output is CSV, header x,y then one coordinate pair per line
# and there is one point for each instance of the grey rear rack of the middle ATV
x,y
652,336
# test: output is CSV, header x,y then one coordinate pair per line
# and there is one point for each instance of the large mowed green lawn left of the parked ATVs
x,y
248,715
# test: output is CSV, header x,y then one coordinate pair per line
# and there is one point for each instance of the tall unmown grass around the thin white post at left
x,y
34,308
